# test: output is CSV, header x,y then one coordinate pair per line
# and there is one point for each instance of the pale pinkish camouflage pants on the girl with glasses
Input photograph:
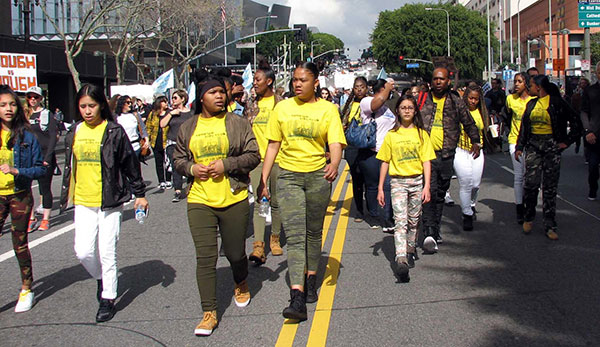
x,y
407,203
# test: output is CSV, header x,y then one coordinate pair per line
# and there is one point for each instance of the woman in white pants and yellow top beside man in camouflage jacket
x,y
469,169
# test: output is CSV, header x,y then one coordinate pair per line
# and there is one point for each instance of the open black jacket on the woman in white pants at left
x,y
119,165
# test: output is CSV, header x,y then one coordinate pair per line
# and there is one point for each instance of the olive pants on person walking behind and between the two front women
x,y
258,221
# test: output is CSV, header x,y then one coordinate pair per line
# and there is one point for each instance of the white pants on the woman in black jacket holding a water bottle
x,y
96,236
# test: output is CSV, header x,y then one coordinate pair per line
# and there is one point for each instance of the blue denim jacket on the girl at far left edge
x,y
27,156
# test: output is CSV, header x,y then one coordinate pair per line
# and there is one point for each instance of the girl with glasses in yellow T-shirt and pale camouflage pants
x,y
405,154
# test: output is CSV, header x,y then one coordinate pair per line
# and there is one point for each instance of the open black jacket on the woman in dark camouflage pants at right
x,y
562,116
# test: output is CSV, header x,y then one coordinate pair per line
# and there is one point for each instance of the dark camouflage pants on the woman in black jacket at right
x,y
542,167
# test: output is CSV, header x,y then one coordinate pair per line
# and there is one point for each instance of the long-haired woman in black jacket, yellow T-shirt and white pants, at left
x,y
98,190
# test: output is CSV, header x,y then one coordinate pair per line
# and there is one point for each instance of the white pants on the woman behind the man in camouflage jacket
x,y
469,172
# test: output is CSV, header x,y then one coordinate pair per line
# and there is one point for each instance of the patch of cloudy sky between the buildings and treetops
x,y
350,20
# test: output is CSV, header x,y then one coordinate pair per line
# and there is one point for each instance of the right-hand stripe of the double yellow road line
x,y
322,317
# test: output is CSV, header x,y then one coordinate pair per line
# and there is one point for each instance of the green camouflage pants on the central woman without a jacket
x,y
303,199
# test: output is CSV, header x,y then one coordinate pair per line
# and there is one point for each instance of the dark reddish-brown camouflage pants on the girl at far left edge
x,y
19,206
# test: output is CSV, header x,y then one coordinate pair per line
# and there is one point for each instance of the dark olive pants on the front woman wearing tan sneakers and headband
x,y
205,222
